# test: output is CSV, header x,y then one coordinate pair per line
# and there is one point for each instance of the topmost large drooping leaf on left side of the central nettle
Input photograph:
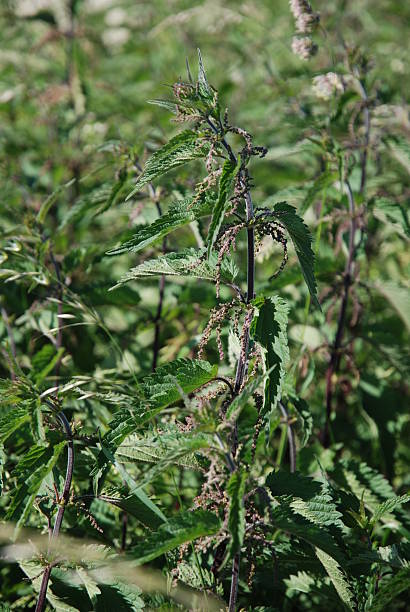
x,y
182,148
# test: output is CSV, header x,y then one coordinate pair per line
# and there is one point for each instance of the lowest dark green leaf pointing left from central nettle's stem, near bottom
x,y
185,527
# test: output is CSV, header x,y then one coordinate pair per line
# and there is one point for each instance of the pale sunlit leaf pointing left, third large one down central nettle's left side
x,y
189,262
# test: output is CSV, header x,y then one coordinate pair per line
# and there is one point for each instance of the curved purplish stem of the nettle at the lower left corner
x,y
62,505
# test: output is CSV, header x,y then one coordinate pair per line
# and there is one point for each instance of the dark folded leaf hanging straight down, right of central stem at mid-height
x,y
269,329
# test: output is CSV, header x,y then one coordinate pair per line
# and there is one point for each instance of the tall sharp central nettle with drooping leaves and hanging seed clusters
x,y
225,195
